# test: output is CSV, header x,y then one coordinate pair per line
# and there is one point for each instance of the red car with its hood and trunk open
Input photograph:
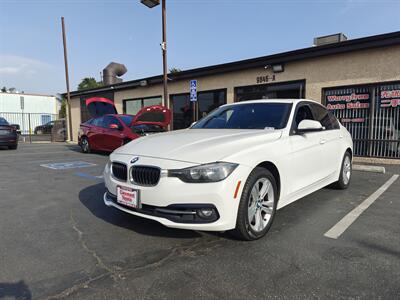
x,y
108,130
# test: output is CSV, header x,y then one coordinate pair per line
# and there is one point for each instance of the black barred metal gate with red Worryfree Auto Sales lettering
x,y
372,116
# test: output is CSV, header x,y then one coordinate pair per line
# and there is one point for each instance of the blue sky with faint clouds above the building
x,y
199,33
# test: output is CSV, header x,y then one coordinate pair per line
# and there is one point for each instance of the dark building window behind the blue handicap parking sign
x,y
182,108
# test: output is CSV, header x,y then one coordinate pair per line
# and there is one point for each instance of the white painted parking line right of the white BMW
x,y
345,223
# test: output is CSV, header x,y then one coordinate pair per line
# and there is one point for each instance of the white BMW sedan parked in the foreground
x,y
232,169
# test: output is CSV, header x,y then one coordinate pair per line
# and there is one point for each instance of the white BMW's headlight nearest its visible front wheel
x,y
204,173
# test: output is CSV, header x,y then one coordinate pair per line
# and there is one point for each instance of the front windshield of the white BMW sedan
x,y
247,116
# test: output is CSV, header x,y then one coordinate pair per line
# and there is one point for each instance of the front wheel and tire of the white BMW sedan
x,y
257,205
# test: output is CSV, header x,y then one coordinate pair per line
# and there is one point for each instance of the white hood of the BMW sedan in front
x,y
199,145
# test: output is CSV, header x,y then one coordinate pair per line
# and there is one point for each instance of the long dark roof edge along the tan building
x,y
375,41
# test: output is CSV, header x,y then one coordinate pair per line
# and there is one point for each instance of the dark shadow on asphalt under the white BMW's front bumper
x,y
92,198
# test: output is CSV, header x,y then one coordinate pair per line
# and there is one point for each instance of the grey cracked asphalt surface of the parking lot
x,y
58,240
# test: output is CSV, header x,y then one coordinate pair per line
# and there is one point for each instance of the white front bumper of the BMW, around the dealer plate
x,y
171,193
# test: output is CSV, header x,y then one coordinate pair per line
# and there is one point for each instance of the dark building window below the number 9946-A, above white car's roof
x,y
282,90
